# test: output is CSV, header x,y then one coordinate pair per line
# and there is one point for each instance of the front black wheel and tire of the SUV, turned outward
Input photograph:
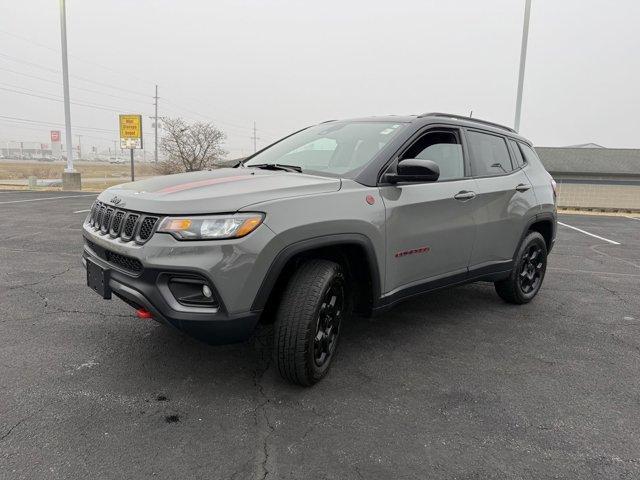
x,y
313,307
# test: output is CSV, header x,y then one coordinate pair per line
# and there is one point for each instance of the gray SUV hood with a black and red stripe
x,y
224,190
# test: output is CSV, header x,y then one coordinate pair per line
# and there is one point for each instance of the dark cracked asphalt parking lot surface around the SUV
x,y
456,384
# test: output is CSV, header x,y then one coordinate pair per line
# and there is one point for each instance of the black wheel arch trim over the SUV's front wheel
x,y
288,252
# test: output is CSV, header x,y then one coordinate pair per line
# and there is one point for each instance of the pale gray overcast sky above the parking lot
x,y
286,64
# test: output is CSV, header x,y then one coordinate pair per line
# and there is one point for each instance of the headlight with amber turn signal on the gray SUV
x,y
214,227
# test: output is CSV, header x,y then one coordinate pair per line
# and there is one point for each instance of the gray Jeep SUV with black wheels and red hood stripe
x,y
341,217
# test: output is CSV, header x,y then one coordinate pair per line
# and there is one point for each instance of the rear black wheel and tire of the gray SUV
x,y
528,272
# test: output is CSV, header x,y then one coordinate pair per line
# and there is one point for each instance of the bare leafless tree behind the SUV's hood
x,y
190,147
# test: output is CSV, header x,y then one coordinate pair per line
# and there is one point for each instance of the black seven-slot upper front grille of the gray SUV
x,y
121,223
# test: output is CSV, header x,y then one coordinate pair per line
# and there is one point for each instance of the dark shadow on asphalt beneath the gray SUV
x,y
171,355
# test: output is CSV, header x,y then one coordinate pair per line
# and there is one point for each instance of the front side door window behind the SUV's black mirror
x,y
442,147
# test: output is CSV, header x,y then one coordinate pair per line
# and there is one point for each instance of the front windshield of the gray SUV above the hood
x,y
336,148
